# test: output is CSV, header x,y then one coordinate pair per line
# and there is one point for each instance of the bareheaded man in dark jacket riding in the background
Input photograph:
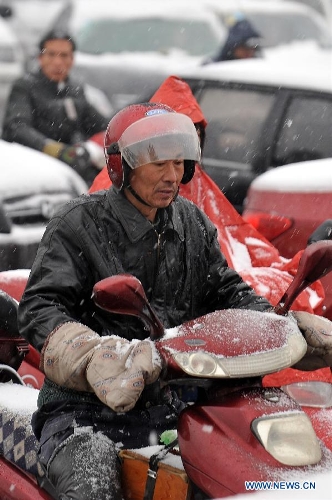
x,y
48,110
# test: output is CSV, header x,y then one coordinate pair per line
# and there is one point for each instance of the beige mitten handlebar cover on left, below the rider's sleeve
x,y
76,357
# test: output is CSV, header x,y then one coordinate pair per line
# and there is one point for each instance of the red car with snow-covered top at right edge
x,y
288,203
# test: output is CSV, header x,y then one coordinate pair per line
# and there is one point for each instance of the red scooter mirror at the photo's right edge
x,y
315,263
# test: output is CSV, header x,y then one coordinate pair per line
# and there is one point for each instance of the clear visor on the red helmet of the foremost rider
x,y
160,137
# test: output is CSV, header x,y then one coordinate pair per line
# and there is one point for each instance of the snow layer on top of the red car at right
x,y
306,176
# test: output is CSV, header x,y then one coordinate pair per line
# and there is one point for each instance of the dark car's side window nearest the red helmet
x,y
235,121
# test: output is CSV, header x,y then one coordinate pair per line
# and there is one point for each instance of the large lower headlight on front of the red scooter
x,y
289,438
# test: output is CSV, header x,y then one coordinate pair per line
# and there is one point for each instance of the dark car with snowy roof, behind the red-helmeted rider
x,y
263,113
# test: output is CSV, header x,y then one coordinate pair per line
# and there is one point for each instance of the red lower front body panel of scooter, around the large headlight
x,y
231,454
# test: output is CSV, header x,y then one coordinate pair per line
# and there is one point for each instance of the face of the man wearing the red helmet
x,y
157,184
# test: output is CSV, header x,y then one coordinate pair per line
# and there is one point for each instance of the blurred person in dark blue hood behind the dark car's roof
x,y
243,42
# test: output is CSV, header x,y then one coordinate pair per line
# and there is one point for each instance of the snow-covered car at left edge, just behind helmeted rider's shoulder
x,y
32,187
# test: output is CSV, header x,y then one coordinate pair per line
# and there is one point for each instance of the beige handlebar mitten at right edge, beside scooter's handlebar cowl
x,y
317,331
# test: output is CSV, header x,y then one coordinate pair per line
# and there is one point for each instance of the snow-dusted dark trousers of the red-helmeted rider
x,y
79,444
